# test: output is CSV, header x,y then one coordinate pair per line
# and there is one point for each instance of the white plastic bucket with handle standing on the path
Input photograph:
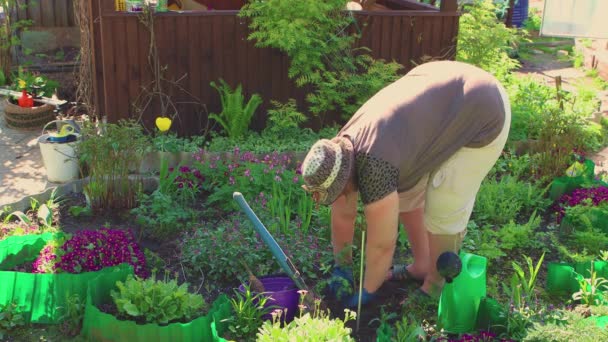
x,y
59,158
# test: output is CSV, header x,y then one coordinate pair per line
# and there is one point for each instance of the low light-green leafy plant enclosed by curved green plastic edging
x,y
156,301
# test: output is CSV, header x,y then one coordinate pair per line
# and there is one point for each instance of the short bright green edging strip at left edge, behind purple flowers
x,y
16,250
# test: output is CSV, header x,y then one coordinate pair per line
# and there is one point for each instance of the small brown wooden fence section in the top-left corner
x,y
47,13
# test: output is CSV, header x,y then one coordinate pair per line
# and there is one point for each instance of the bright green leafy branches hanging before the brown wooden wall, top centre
x,y
309,32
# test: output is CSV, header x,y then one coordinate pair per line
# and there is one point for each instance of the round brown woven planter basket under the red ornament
x,y
27,118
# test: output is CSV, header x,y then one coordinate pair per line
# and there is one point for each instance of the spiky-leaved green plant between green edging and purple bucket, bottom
x,y
248,308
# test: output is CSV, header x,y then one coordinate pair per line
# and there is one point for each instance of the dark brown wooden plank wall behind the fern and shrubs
x,y
204,46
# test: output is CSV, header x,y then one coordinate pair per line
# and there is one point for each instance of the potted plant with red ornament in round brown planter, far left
x,y
25,112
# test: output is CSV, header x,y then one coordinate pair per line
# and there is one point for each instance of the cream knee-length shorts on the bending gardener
x,y
448,194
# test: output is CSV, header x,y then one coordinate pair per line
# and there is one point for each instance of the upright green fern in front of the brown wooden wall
x,y
236,115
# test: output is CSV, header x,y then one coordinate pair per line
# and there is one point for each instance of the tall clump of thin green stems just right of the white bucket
x,y
108,156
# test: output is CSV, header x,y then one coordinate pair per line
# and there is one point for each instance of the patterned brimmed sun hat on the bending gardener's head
x,y
327,167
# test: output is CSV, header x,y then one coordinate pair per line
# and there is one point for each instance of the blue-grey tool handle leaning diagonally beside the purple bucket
x,y
276,250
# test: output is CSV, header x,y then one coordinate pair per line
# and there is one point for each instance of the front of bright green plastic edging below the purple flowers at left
x,y
41,297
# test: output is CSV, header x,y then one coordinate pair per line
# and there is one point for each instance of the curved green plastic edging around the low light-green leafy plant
x,y
100,326
